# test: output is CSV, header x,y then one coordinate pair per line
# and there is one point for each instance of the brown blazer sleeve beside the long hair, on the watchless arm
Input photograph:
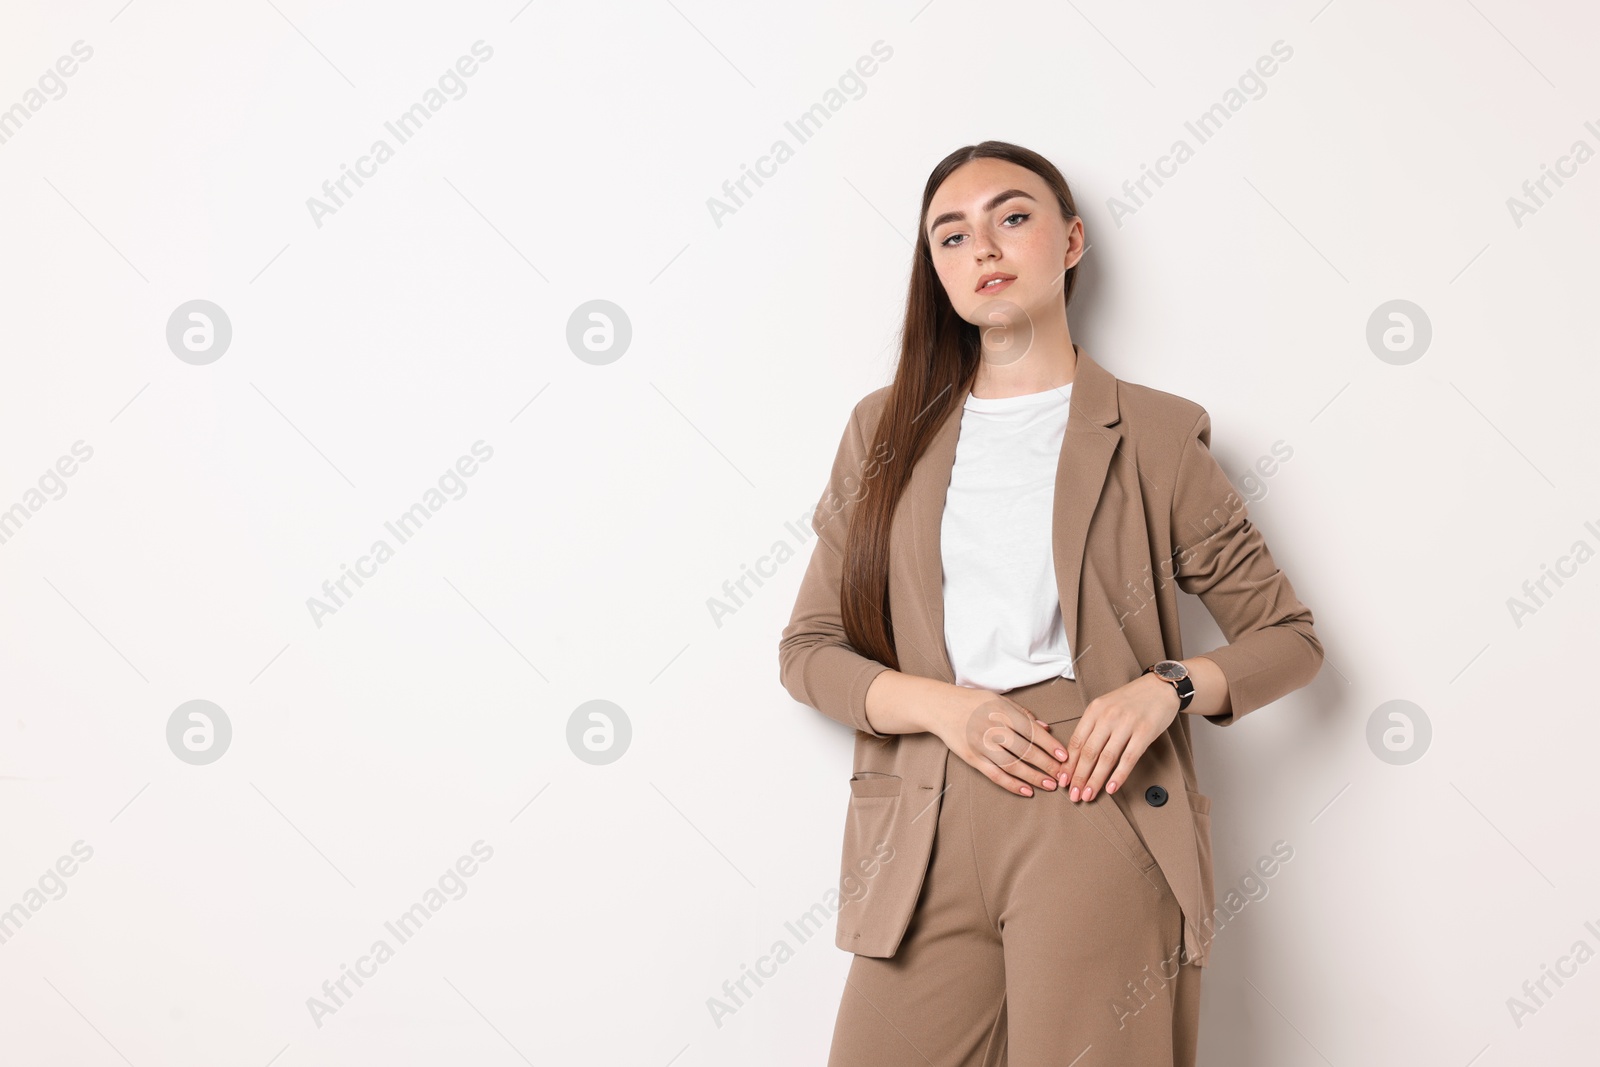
x,y
815,661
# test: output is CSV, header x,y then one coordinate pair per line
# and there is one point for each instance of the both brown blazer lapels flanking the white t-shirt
x,y
1081,474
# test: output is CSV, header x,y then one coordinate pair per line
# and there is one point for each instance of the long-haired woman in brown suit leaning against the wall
x,y
1026,873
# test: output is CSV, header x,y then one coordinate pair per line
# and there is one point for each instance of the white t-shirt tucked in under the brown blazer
x,y
1002,609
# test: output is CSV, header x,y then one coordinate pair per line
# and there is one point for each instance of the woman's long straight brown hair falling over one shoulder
x,y
938,364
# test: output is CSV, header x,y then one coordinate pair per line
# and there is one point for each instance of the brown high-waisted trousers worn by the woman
x,y
1044,935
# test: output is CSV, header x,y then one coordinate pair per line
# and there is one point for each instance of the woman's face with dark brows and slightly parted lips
x,y
996,218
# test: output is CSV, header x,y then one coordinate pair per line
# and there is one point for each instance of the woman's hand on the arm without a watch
x,y
1002,740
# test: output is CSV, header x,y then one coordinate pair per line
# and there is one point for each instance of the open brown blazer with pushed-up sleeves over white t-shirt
x,y
1140,503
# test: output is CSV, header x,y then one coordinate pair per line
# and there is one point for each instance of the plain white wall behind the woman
x,y
431,311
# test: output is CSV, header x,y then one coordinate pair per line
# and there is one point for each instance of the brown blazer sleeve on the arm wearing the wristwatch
x,y
1222,557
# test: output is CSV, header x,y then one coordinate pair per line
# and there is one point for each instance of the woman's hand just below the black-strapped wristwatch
x,y
1116,730
